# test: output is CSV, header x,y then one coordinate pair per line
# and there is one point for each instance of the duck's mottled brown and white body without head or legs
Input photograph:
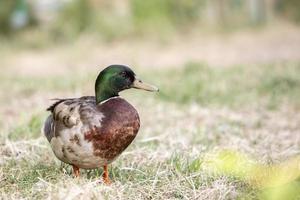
x,y
89,135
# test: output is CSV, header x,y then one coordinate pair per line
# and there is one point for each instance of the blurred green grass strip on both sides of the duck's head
x,y
237,86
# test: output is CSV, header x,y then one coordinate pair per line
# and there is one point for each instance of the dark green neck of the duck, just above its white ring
x,y
103,91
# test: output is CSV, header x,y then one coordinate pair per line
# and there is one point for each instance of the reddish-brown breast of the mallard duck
x,y
118,128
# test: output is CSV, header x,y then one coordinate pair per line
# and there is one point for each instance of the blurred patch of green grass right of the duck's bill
x,y
236,86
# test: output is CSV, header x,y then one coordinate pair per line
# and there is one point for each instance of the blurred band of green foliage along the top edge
x,y
109,20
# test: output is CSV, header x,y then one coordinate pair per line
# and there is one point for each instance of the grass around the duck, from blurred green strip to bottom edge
x,y
200,111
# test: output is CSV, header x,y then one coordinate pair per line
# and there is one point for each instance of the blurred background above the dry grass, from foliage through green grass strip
x,y
204,44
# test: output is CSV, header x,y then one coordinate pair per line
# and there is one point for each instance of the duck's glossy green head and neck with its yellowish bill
x,y
116,78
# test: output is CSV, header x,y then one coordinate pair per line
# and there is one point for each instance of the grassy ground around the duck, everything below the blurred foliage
x,y
236,96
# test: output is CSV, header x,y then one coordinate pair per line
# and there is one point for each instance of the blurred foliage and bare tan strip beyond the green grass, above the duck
x,y
217,32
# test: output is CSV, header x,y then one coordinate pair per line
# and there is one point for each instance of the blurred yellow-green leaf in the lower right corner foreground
x,y
272,180
